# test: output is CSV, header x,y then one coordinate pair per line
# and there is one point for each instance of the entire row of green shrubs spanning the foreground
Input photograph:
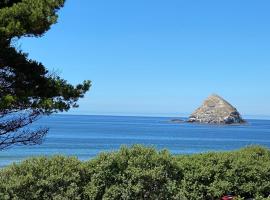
x,y
140,173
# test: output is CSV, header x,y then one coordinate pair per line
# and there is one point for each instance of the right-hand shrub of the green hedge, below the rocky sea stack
x,y
245,173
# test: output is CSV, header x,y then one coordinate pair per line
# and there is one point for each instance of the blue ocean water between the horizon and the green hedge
x,y
87,136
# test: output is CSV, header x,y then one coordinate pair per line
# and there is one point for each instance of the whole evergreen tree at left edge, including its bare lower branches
x,y
27,89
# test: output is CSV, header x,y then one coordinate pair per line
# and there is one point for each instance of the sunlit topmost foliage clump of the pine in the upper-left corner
x,y
27,17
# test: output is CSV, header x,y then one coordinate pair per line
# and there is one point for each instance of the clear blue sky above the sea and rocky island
x,y
157,57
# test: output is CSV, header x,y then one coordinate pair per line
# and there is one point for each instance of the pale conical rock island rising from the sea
x,y
216,110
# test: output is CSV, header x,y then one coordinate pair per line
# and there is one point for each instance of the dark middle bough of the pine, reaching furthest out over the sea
x,y
28,85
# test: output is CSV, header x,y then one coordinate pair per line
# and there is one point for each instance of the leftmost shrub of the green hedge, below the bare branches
x,y
56,178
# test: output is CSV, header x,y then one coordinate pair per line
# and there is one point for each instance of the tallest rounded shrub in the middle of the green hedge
x,y
136,173
